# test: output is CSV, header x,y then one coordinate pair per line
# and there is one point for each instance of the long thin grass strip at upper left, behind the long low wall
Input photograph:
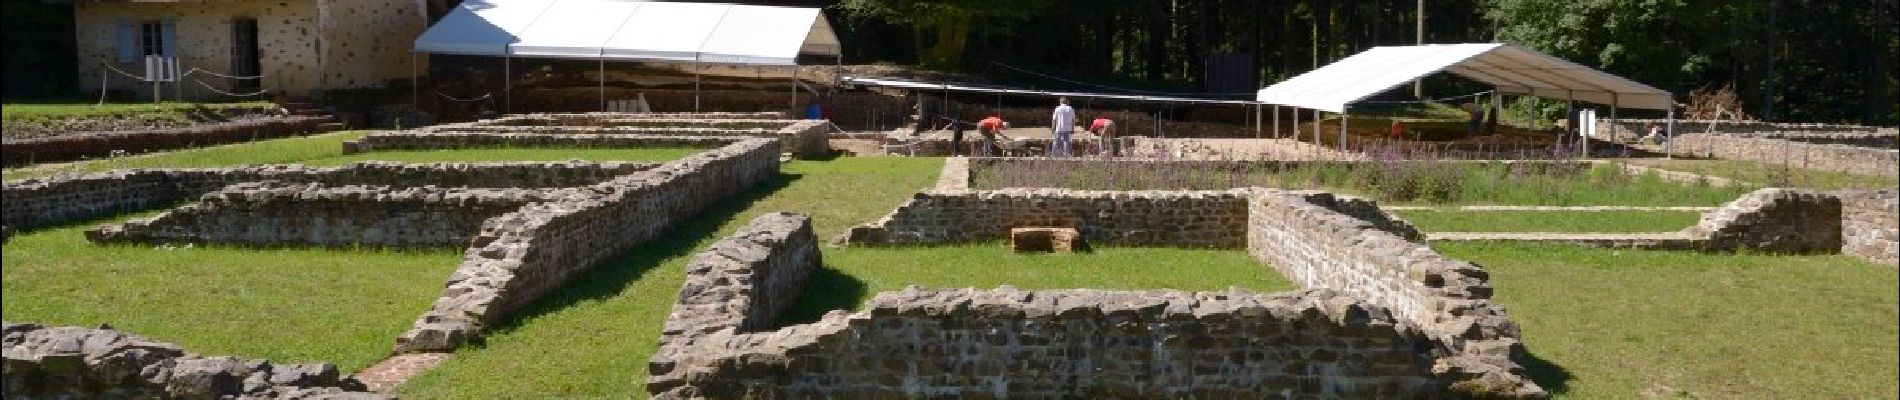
x,y
326,151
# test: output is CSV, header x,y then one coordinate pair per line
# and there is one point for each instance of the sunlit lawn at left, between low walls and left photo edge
x,y
286,306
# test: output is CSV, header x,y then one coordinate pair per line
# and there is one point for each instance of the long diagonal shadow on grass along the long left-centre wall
x,y
613,278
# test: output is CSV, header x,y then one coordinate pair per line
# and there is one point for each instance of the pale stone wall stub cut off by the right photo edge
x,y
1871,225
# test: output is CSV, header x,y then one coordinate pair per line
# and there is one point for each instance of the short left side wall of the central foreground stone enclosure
x,y
738,287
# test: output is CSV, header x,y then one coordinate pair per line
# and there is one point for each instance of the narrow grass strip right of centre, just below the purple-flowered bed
x,y
1549,221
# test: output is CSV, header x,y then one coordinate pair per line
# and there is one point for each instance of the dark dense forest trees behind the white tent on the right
x,y
1789,60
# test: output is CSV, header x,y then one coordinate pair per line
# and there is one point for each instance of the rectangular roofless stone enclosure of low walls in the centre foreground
x,y
1382,318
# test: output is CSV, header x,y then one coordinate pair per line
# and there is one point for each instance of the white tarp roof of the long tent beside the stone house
x,y
632,31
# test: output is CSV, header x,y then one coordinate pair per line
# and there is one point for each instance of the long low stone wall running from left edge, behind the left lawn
x,y
45,202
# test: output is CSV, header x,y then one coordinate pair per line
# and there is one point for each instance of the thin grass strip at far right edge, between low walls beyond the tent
x,y
1774,173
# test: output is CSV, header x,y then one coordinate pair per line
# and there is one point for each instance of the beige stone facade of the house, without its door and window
x,y
303,45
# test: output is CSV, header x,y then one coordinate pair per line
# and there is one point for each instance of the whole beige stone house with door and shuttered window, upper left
x,y
297,46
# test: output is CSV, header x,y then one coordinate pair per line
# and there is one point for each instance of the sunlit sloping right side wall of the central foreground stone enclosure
x,y
1449,300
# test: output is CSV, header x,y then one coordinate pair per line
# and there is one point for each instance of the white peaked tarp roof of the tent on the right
x,y
1508,67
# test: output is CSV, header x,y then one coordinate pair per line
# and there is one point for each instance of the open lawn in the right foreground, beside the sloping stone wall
x,y
1686,325
